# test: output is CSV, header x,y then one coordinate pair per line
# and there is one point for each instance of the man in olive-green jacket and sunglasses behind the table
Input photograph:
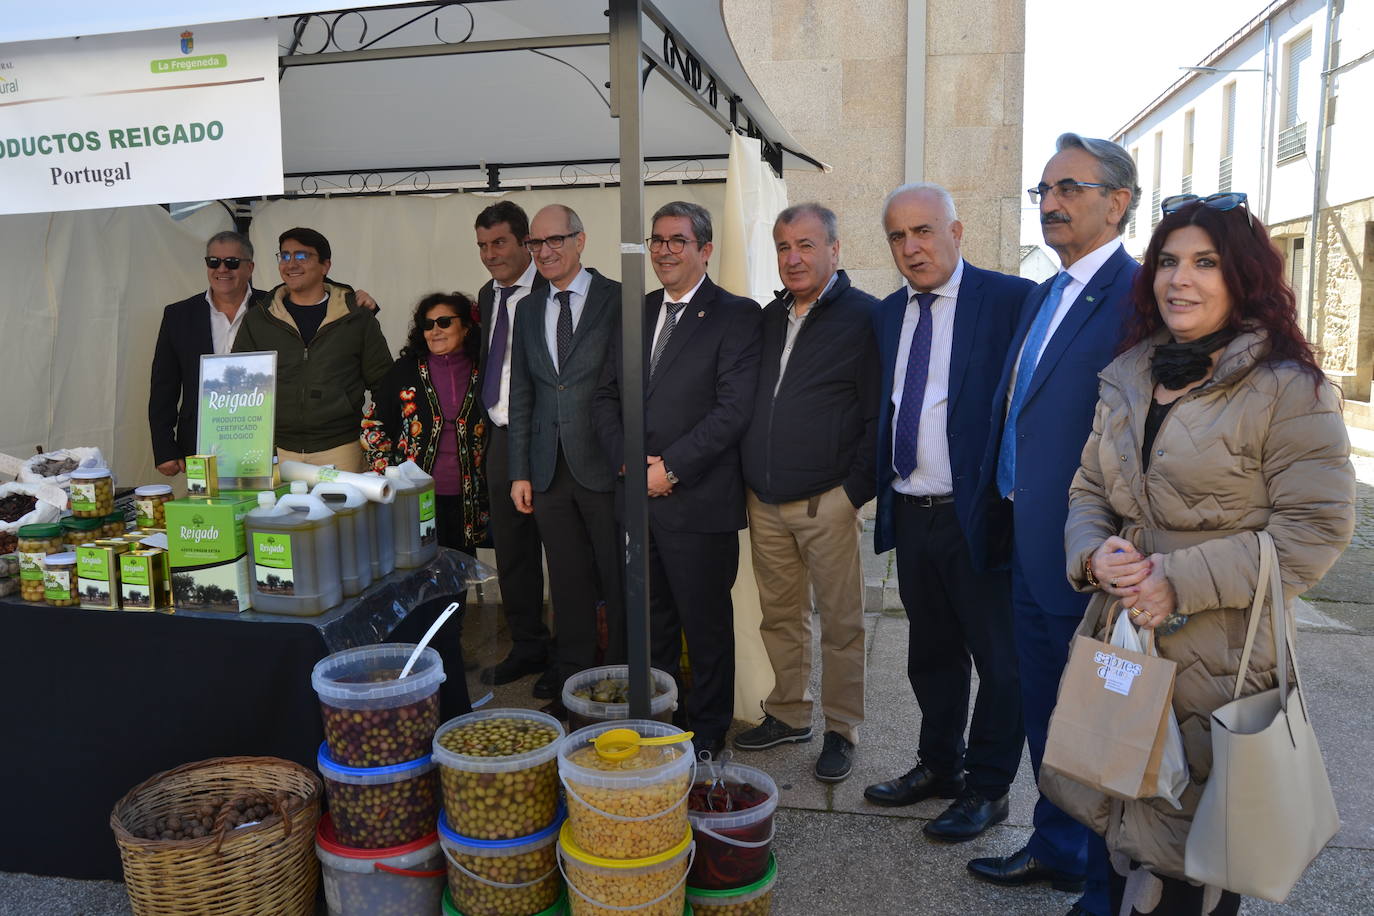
x,y
330,351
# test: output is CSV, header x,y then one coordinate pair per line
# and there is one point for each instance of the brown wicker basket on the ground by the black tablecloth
x,y
266,869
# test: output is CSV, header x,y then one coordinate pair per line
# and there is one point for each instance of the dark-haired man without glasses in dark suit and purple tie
x,y
502,230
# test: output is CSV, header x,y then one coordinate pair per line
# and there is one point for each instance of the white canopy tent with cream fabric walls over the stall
x,y
392,105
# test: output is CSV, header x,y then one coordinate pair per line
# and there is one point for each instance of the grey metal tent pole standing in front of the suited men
x,y
626,31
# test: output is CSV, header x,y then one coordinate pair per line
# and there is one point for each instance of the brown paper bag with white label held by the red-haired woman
x,y
1111,720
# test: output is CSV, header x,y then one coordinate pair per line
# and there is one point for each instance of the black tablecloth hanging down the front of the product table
x,y
101,701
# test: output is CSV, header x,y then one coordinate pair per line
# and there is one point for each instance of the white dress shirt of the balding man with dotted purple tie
x,y
932,476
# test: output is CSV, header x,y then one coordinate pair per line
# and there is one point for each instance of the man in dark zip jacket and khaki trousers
x,y
809,465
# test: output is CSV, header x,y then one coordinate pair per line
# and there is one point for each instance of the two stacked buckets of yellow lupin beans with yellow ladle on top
x,y
627,845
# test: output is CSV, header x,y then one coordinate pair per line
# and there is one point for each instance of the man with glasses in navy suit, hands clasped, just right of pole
x,y
701,363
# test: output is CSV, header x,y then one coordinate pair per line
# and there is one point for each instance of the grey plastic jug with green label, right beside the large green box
x,y
295,547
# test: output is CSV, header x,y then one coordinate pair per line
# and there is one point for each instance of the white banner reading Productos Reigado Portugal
x,y
144,117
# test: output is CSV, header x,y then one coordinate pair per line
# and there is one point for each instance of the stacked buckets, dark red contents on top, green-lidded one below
x,y
732,811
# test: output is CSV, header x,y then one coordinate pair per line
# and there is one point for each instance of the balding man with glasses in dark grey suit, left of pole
x,y
559,470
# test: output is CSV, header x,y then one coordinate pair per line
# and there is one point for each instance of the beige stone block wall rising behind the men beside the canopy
x,y
835,72
